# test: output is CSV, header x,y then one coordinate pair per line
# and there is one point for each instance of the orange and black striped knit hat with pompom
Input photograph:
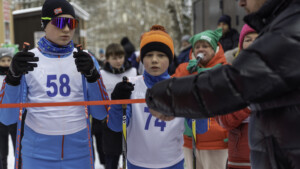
x,y
157,39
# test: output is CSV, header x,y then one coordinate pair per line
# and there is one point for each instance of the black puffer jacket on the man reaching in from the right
x,y
265,76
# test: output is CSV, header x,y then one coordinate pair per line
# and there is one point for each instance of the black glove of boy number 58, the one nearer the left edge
x,y
20,64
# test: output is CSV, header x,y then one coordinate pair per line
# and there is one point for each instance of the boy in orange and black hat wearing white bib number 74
x,y
151,143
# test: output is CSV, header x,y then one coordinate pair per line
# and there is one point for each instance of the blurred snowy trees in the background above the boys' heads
x,y
111,20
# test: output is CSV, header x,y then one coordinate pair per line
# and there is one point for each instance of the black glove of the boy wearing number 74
x,y
122,90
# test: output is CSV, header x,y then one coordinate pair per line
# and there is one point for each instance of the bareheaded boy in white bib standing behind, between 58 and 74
x,y
115,68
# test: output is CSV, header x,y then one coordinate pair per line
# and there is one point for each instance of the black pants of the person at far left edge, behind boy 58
x,y
5,131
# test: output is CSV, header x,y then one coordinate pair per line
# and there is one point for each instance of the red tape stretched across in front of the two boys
x,y
82,103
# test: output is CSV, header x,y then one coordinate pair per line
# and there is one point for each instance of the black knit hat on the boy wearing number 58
x,y
54,8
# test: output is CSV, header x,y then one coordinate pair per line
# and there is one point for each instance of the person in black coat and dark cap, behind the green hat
x,y
230,38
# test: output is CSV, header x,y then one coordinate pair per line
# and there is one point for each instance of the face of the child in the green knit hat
x,y
205,48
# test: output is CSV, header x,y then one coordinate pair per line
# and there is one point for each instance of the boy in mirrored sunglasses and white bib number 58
x,y
54,137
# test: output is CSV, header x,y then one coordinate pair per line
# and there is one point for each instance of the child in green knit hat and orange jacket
x,y
211,147
